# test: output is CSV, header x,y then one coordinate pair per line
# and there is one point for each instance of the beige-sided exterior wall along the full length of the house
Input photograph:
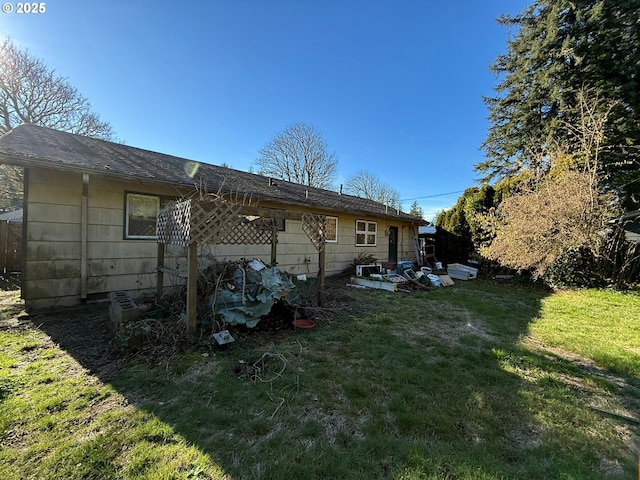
x,y
53,242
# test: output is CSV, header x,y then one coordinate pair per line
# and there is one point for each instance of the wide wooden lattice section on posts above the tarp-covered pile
x,y
215,221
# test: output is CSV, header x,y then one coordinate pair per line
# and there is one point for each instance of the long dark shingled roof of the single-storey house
x,y
31,145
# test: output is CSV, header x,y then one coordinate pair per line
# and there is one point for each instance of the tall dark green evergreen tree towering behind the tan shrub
x,y
560,48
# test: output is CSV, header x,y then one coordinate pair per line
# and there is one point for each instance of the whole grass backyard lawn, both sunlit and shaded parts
x,y
477,381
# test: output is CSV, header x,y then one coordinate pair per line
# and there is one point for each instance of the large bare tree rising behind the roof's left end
x,y
30,92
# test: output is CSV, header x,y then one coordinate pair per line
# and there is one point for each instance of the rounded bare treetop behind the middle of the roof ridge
x,y
299,154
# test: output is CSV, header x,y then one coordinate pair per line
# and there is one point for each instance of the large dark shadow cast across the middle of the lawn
x,y
427,385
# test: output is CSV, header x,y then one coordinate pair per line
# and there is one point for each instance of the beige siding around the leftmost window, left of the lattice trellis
x,y
53,253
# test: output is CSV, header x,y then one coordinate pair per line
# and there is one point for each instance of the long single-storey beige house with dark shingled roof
x,y
90,210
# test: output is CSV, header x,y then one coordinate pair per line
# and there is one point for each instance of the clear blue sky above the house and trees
x,y
395,87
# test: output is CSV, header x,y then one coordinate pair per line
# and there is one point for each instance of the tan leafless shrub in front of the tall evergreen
x,y
562,210
